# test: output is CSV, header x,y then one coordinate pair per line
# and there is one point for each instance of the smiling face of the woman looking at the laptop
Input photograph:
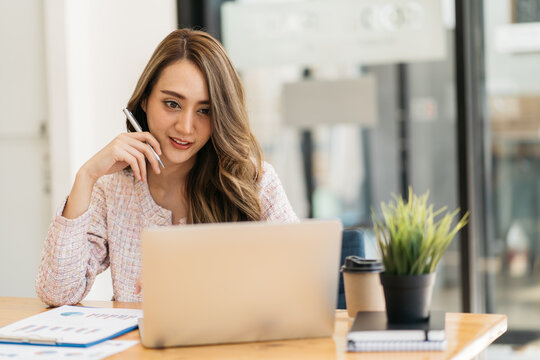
x,y
178,112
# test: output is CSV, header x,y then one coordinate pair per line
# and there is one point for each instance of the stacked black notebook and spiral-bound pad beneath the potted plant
x,y
372,332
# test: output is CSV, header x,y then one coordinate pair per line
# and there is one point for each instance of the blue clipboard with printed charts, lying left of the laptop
x,y
71,326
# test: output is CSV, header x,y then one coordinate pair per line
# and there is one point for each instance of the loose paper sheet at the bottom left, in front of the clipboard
x,y
33,352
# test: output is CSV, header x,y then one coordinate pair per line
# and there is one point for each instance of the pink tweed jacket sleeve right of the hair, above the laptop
x,y
274,202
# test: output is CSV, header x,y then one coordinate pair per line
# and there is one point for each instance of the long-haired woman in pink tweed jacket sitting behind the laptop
x,y
190,104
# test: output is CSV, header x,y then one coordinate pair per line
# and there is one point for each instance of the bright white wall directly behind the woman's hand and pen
x,y
96,50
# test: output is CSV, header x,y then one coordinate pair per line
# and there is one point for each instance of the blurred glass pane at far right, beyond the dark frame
x,y
512,68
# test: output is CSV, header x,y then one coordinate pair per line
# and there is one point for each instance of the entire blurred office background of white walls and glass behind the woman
x,y
352,101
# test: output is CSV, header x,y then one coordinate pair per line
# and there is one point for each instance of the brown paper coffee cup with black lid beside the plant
x,y
363,290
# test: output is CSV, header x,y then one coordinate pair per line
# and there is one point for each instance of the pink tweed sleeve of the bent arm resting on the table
x,y
75,252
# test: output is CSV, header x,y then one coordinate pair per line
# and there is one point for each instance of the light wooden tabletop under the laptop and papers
x,y
467,334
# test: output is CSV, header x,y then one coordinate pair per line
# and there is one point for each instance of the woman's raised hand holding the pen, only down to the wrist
x,y
126,149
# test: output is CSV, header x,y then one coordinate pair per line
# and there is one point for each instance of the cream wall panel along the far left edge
x,y
24,202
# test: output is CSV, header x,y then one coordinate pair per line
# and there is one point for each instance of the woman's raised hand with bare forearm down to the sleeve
x,y
126,149
